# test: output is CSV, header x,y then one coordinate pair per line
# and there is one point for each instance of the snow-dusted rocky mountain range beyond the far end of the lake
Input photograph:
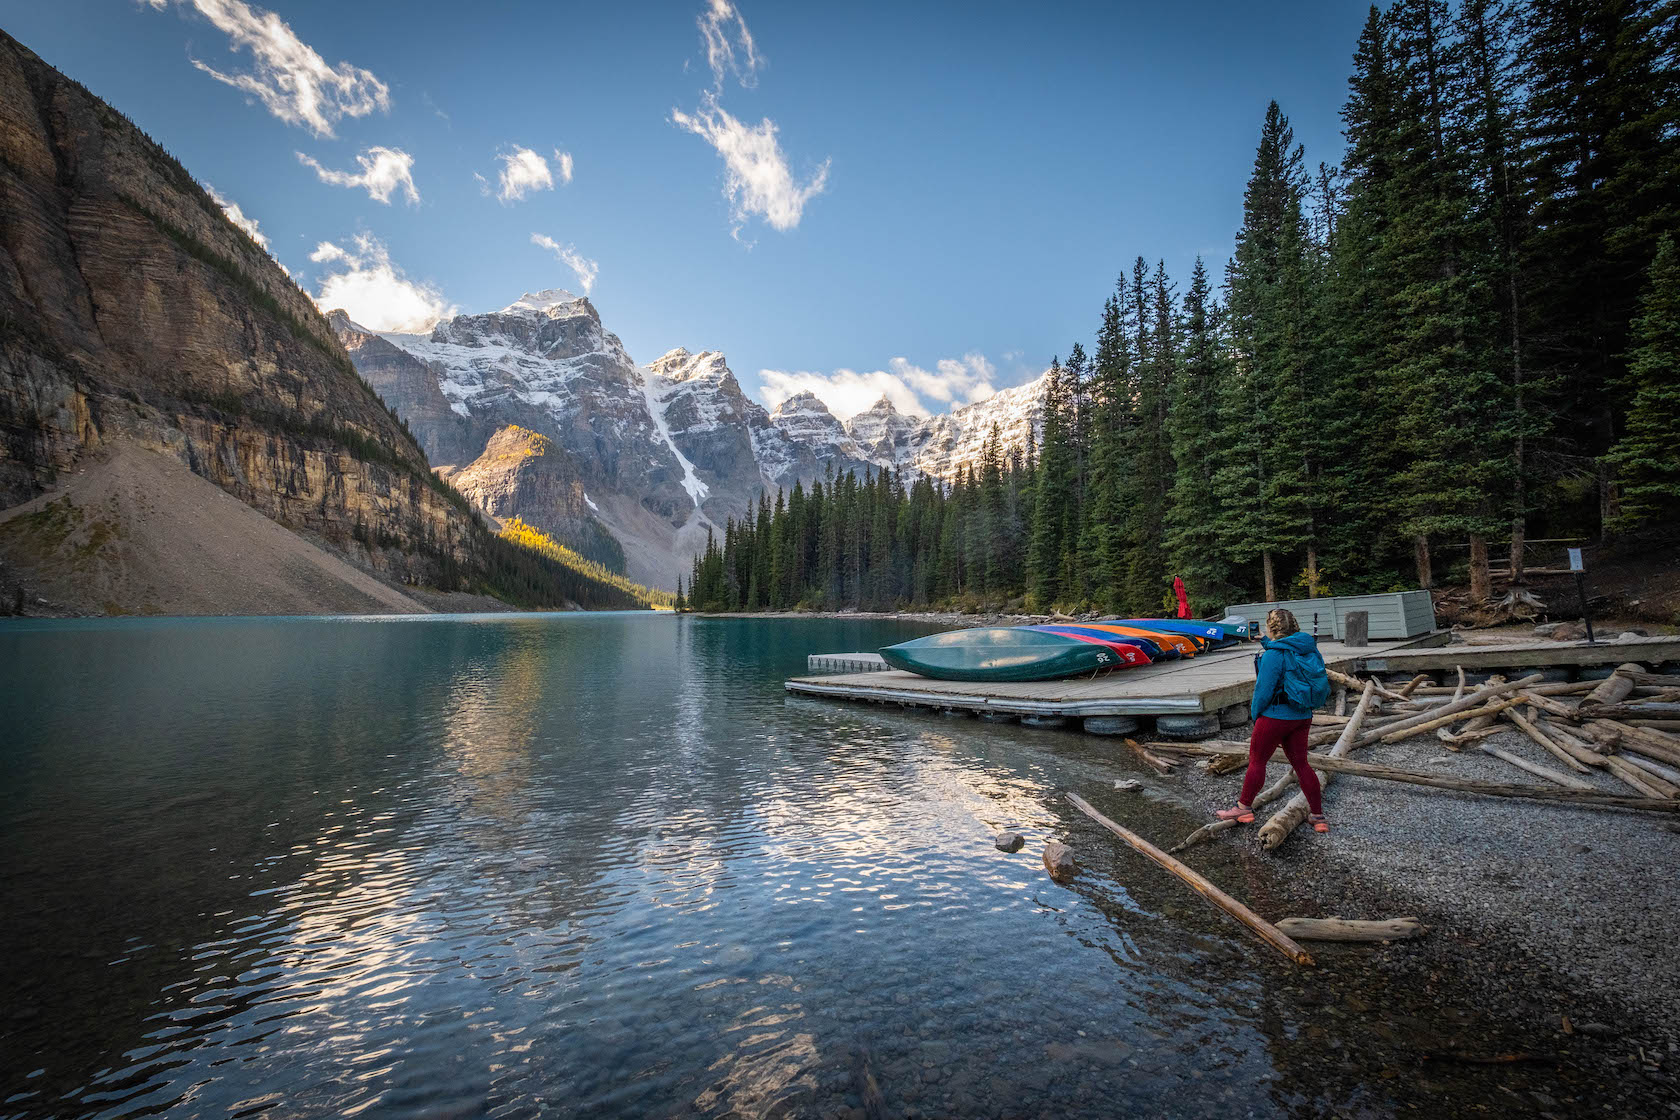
x,y
537,412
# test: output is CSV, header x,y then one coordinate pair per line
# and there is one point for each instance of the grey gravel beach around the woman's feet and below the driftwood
x,y
1557,913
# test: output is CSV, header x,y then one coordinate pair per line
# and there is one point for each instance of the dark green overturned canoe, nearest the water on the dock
x,y
1011,654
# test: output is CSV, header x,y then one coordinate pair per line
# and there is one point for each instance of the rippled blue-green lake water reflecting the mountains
x,y
597,866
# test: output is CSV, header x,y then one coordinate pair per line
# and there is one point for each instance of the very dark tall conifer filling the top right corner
x,y
1602,157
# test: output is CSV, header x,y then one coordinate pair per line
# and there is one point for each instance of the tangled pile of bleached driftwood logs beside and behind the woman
x,y
1624,726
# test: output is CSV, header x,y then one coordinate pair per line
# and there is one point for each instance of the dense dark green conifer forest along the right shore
x,y
1464,337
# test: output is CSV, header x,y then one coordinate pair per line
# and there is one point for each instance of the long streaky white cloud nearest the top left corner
x,y
290,78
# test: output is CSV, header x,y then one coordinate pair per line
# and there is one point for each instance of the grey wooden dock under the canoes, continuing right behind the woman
x,y
1189,696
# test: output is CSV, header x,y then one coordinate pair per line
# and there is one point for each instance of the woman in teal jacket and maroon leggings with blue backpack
x,y
1291,684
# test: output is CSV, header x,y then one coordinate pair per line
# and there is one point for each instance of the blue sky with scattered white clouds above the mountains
x,y
918,201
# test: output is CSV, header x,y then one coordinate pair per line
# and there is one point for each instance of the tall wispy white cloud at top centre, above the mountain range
x,y
759,181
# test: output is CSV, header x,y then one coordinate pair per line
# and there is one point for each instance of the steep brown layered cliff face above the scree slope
x,y
135,311
